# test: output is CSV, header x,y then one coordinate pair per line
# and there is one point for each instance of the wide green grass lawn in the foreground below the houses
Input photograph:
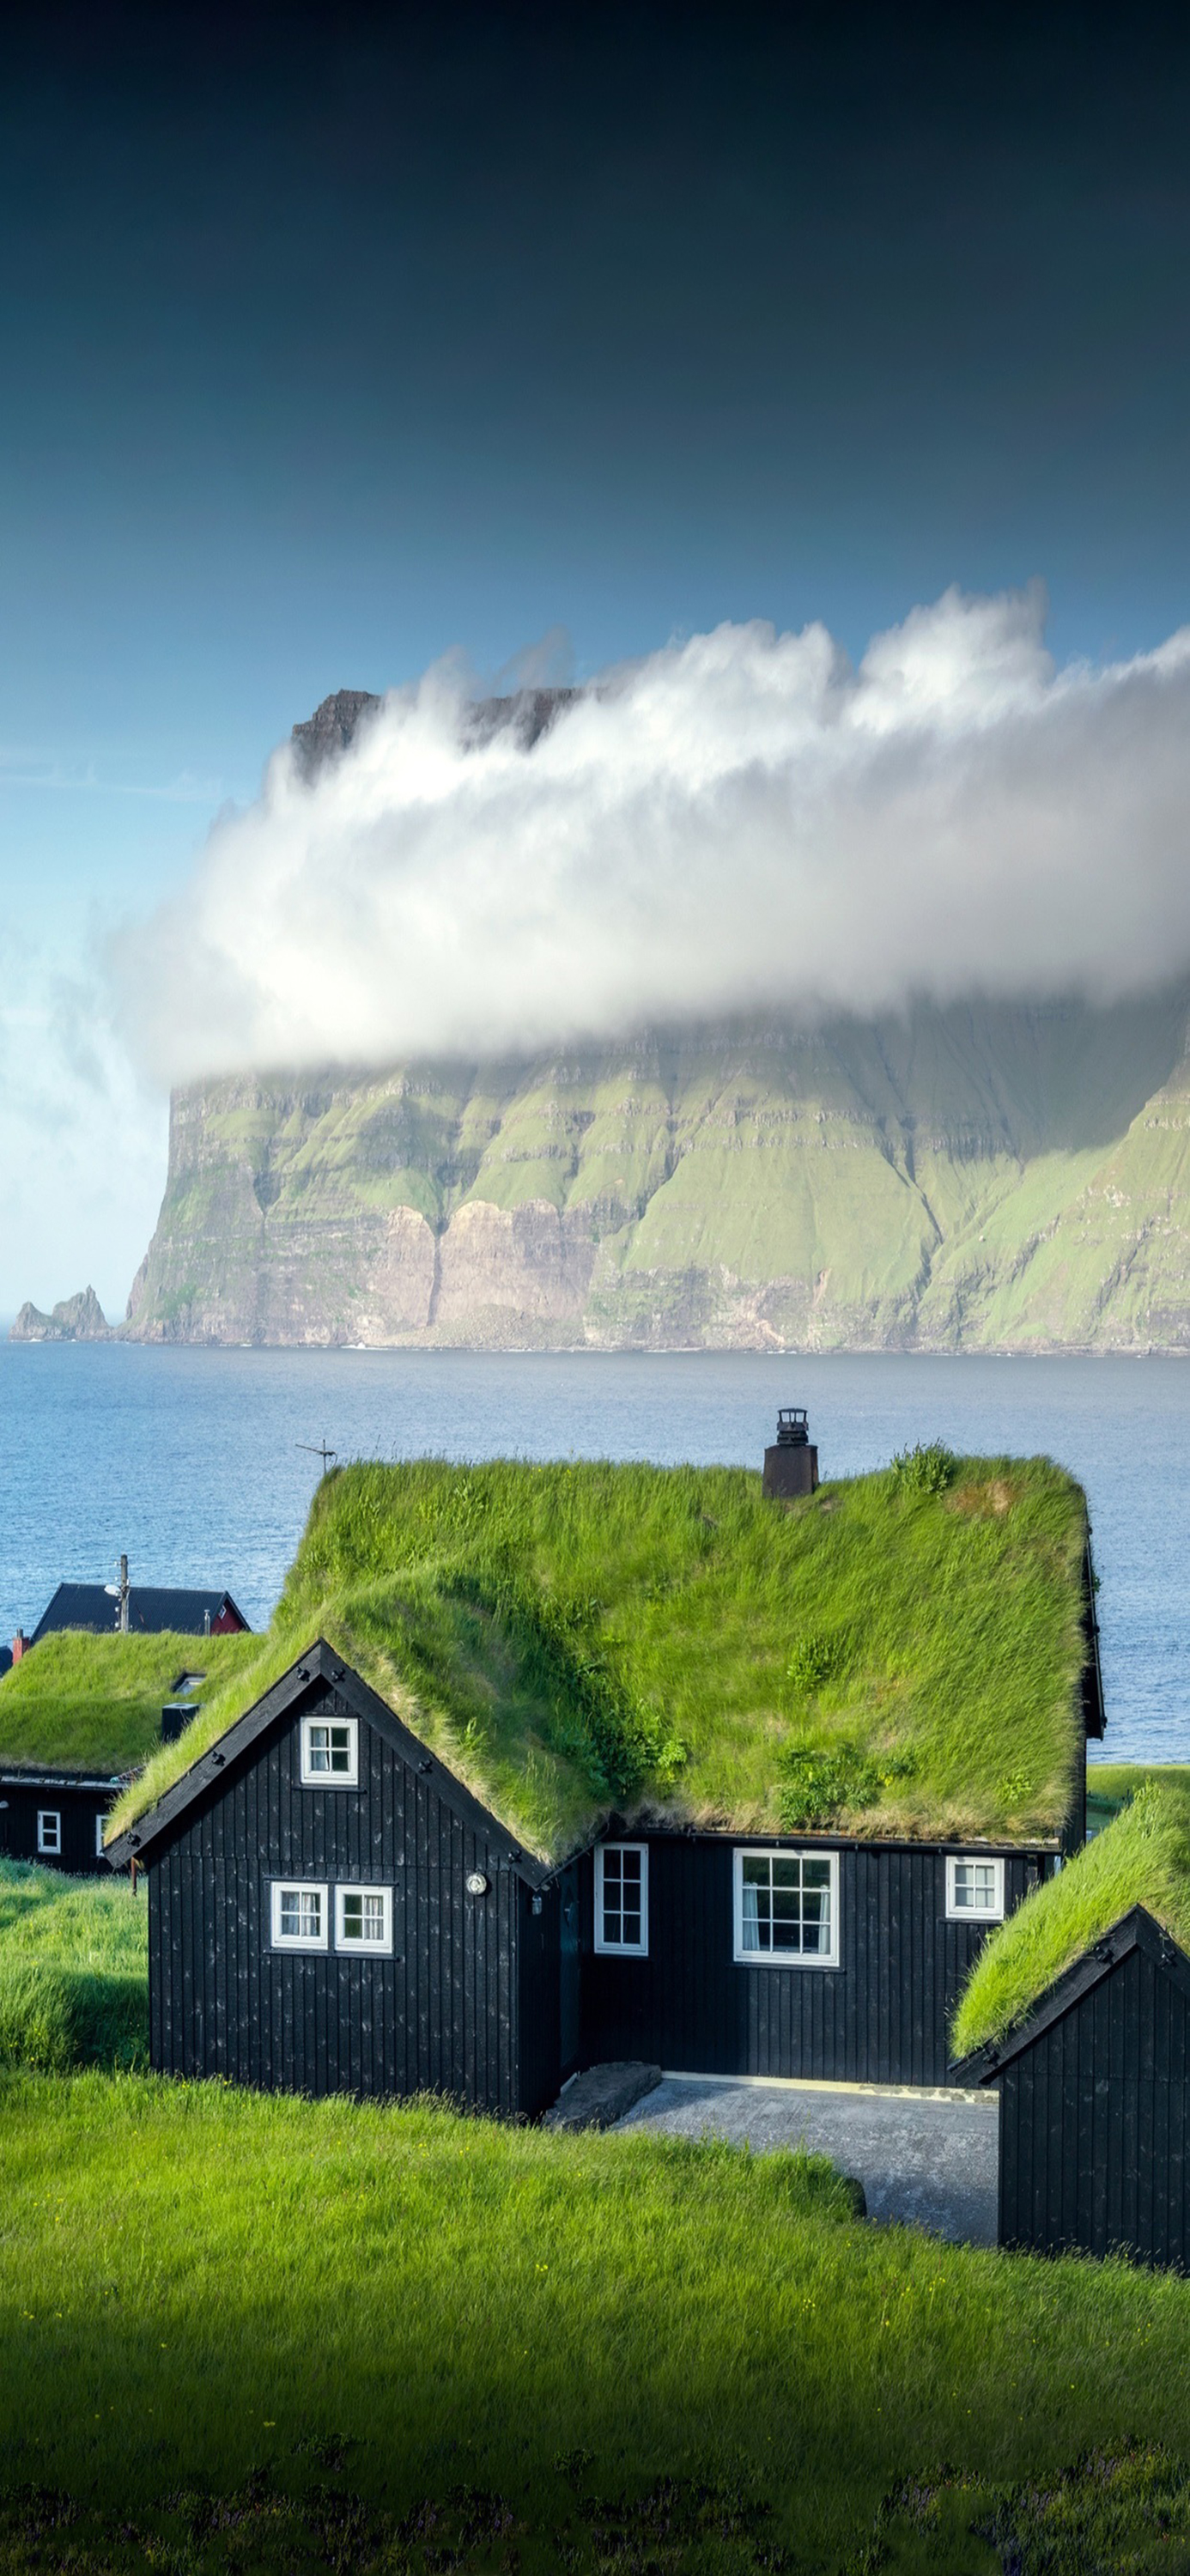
x,y
207,2291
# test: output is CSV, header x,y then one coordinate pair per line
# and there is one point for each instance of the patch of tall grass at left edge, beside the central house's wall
x,y
73,1972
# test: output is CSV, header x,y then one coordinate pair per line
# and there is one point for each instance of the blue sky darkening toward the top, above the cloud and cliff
x,y
331,349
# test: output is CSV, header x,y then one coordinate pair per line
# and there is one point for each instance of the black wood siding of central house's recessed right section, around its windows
x,y
877,2018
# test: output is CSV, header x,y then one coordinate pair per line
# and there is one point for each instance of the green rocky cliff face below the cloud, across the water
x,y
972,1179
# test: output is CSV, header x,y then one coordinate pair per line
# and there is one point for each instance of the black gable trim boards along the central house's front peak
x,y
305,1678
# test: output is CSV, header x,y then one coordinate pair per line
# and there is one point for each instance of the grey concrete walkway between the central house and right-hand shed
x,y
929,2160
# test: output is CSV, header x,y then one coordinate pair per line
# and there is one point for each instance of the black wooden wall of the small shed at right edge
x,y
1093,2124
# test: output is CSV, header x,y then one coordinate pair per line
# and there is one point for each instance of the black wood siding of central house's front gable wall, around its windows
x,y
439,2016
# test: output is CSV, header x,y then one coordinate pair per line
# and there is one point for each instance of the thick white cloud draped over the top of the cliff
x,y
738,820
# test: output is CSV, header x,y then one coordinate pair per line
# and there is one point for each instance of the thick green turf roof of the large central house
x,y
601,1640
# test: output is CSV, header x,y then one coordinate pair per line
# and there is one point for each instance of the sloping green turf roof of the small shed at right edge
x,y
1142,1859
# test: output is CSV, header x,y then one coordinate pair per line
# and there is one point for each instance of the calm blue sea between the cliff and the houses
x,y
200,1464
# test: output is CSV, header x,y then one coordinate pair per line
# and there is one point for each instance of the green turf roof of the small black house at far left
x,y
84,1701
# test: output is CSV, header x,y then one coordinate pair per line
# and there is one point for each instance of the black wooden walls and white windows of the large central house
x,y
334,1910
